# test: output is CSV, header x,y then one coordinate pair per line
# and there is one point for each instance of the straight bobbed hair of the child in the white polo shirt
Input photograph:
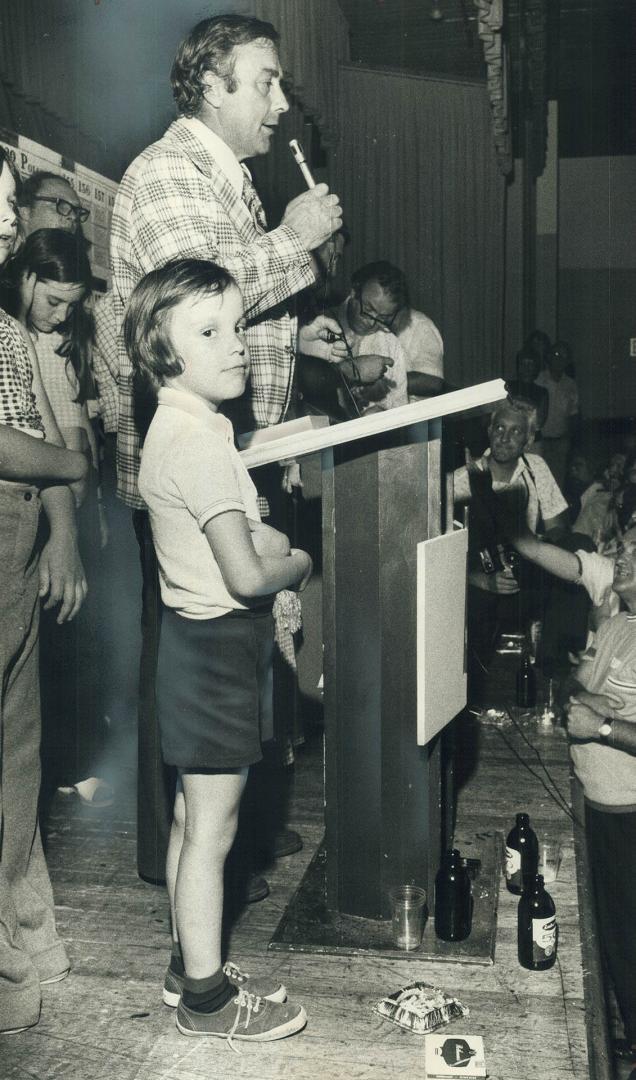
x,y
145,330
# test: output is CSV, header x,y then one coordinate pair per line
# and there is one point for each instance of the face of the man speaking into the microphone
x,y
248,119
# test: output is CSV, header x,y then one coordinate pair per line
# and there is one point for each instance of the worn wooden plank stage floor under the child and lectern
x,y
107,1021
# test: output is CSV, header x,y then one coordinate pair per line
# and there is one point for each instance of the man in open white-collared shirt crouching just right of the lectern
x,y
495,591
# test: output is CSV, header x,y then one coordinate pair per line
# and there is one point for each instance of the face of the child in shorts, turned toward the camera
x,y
208,332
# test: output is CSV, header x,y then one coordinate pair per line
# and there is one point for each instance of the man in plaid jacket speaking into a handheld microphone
x,y
190,195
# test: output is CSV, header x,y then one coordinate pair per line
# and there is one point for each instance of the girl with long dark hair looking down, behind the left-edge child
x,y
51,282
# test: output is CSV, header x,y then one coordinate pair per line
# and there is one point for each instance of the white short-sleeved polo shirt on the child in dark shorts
x,y
191,474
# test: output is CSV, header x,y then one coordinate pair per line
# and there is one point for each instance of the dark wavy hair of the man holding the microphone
x,y
210,47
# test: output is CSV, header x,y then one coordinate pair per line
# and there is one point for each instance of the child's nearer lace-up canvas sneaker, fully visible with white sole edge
x,y
247,1017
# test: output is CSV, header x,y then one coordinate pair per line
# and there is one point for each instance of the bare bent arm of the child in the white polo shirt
x,y
247,574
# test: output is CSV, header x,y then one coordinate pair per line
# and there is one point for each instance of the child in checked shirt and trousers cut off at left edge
x,y
35,469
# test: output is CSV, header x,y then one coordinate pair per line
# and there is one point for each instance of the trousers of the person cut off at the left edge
x,y
30,948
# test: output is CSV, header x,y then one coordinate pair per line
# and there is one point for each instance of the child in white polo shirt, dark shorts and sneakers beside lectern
x,y
220,569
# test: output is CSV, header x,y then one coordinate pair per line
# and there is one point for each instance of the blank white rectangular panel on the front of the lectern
x,y
441,631
